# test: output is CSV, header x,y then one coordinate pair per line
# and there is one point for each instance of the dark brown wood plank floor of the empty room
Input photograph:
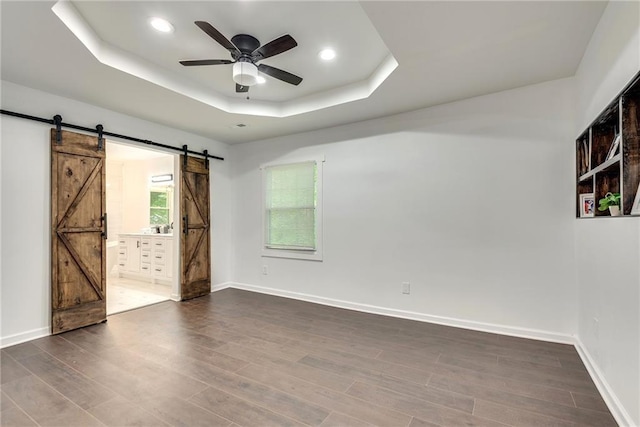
x,y
237,358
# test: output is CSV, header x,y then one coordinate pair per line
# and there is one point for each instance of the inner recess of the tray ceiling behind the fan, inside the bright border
x,y
317,25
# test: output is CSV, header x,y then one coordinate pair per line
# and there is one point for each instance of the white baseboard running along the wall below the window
x,y
421,317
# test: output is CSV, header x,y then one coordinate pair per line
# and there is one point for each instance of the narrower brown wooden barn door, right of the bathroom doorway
x,y
195,238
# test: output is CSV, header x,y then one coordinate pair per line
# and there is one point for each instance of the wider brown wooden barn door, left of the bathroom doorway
x,y
77,223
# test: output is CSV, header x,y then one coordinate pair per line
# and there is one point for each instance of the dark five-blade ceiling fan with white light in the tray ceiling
x,y
246,52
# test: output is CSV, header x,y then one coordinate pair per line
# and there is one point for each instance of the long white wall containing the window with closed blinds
x,y
471,202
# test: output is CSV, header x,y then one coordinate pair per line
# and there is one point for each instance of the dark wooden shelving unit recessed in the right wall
x,y
599,171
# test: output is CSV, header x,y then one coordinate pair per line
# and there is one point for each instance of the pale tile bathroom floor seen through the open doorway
x,y
128,294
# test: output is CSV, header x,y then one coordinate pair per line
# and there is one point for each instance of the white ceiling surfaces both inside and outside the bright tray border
x,y
446,51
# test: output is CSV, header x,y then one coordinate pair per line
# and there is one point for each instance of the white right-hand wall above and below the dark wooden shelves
x,y
608,250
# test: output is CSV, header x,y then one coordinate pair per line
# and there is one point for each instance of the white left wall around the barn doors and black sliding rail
x,y
25,201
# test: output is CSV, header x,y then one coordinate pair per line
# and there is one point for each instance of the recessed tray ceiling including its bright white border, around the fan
x,y
132,46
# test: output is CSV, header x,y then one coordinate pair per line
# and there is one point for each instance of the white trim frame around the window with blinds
x,y
311,255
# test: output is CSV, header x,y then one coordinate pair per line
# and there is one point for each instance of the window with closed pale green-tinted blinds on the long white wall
x,y
291,207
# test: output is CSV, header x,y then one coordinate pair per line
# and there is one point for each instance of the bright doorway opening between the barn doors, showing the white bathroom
x,y
141,204
